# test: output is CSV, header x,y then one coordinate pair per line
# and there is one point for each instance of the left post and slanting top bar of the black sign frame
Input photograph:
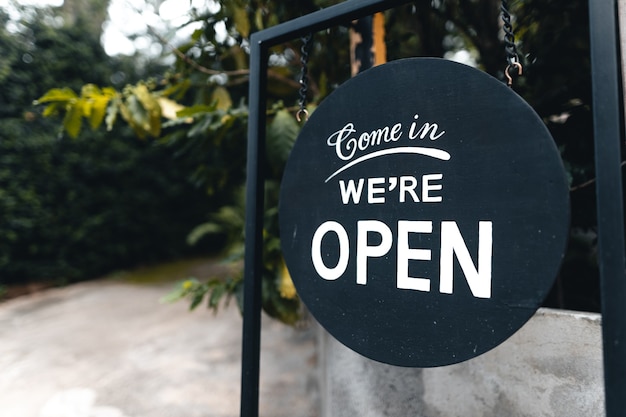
x,y
260,42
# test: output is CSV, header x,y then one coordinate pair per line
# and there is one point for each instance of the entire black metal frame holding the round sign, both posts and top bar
x,y
607,108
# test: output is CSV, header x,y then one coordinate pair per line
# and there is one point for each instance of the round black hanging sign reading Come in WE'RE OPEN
x,y
423,213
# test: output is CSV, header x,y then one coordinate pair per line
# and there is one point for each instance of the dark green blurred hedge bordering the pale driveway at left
x,y
73,209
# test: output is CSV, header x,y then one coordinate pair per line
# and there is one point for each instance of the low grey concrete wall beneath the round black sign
x,y
551,367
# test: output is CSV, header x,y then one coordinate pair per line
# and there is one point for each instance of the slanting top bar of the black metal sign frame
x,y
335,15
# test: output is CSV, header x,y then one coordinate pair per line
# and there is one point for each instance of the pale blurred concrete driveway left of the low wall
x,y
109,348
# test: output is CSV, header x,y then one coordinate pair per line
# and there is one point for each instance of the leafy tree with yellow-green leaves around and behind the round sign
x,y
198,108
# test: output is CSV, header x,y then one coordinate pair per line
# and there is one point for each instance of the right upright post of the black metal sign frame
x,y
607,137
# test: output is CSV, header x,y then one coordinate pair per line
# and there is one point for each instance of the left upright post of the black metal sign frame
x,y
251,344
